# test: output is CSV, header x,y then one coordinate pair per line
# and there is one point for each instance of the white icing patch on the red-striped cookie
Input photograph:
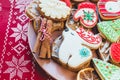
x,y
113,7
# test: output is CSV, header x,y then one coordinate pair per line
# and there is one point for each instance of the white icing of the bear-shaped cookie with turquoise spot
x,y
71,50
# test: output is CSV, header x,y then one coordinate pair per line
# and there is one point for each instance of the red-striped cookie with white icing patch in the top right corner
x,y
109,9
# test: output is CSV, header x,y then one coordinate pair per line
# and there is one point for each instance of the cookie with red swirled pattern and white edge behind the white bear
x,y
88,38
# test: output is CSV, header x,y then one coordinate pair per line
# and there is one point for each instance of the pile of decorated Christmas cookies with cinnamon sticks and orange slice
x,y
88,40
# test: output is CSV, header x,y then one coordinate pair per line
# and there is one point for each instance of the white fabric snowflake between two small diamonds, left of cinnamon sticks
x,y
20,32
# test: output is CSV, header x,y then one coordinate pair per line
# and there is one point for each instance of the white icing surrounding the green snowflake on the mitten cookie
x,y
80,14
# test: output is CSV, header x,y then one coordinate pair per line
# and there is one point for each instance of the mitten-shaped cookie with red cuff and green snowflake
x,y
87,14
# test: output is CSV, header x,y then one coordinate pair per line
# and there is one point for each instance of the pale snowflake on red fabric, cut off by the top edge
x,y
21,4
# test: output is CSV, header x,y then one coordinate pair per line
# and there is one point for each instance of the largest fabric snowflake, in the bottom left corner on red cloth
x,y
17,67
